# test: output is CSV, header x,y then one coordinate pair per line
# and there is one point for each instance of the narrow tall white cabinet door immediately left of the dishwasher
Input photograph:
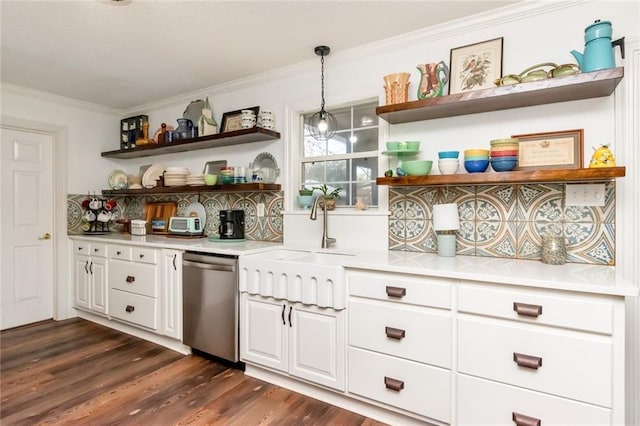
x,y
171,293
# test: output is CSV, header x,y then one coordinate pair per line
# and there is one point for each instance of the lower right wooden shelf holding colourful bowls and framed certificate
x,y
499,178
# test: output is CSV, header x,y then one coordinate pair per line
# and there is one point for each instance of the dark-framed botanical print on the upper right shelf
x,y
475,66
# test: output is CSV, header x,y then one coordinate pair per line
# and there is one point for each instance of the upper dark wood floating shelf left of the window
x,y
255,134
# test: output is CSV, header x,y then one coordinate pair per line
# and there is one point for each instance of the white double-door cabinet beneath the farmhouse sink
x,y
304,341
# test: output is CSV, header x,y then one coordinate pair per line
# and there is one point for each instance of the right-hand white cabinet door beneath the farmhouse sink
x,y
317,345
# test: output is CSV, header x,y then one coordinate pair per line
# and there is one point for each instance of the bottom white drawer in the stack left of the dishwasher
x,y
133,308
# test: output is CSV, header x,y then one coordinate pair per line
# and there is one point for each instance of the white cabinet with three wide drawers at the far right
x,y
536,355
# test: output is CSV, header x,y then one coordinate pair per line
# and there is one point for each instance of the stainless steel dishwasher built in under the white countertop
x,y
210,304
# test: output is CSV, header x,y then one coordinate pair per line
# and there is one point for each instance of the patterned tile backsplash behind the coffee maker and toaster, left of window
x,y
266,228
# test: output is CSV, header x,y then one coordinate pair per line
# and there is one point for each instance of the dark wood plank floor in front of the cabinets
x,y
77,372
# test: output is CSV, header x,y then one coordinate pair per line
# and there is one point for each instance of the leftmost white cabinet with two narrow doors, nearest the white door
x,y
90,276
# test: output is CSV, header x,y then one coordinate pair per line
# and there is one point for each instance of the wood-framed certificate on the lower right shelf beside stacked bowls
x,y
551,150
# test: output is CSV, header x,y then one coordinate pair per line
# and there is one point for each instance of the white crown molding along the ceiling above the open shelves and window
x,y
448,29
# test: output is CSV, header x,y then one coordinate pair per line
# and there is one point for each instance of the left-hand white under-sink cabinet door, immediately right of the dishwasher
x,y
263,331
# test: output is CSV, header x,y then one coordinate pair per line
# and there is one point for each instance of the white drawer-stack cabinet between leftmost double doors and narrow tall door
x,y
134,281
